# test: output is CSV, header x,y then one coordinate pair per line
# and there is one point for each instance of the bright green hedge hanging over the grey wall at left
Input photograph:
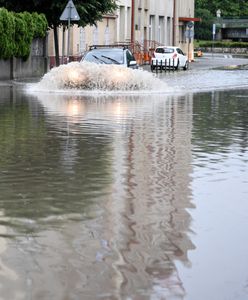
x,y
17,30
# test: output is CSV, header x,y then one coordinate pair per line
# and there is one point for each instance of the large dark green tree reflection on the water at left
x,y
36,181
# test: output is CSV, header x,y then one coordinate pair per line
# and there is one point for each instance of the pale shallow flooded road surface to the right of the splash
x,y
208,73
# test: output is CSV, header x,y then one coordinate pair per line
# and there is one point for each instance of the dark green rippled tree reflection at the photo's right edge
x,y
219,118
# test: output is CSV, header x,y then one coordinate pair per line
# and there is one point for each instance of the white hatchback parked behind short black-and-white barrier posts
x,y
169,57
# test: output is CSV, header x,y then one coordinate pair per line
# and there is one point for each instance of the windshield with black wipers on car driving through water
x,y
108,56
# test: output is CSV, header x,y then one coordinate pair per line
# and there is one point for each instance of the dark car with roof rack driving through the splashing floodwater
x,y
110,55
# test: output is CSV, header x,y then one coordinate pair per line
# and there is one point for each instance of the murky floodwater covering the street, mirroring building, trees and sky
x,y
126,196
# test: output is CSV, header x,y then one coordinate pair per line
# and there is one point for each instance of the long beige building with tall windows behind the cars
x,y
144,23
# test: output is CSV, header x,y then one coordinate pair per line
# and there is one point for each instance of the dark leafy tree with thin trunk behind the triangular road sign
x,y
90,11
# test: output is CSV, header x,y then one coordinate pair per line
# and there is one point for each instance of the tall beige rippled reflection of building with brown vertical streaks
x,y
148,211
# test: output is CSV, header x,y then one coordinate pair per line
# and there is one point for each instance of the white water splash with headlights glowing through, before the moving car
x,y
90,76
